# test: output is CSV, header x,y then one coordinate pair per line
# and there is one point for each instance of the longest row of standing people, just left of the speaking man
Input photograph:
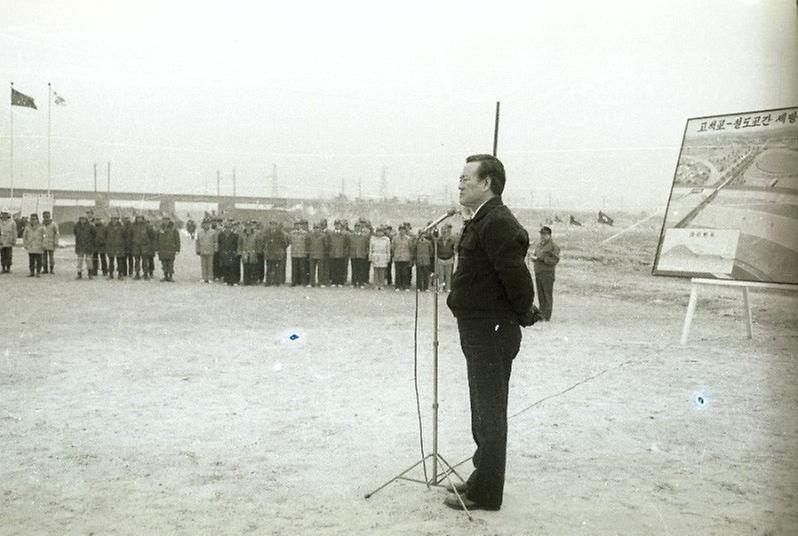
x,y
247,252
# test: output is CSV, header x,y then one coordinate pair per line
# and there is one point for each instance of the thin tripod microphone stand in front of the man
x,y
435,479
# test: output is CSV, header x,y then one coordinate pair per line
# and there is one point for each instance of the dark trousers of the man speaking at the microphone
x,y
489,347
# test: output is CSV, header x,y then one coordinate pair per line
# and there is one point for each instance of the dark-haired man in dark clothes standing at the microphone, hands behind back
x,y
491,297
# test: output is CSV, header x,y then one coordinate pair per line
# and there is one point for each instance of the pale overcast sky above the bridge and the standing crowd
x,y
594,95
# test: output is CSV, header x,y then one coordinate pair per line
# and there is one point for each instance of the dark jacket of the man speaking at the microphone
x,y
492,280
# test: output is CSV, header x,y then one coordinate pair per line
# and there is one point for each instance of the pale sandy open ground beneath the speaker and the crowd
x,y
132,407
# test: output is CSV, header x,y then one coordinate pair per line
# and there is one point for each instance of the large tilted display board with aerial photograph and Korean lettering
x,y
733,208
